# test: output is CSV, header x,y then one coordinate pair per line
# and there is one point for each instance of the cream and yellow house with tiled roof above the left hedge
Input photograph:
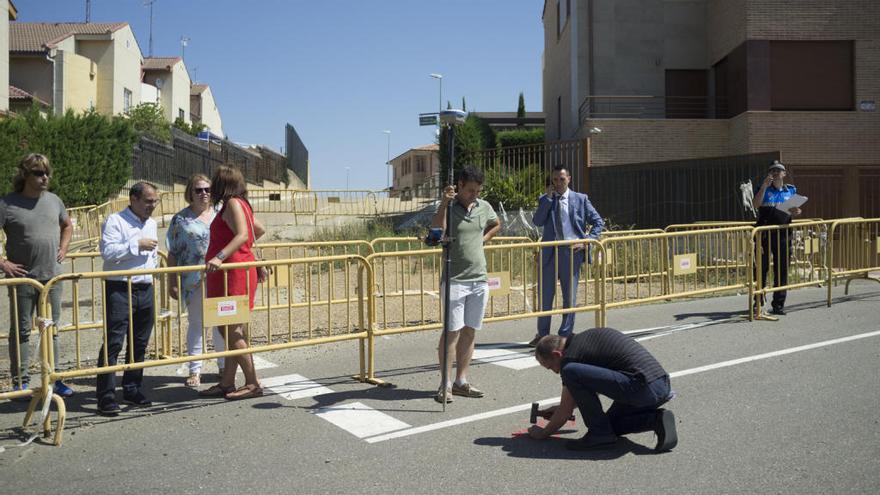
x,y
77,66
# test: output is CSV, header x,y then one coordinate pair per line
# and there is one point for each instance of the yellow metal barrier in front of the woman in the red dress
x,y
305,302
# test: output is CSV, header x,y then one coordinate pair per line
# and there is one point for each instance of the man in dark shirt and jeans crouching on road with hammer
x,y
605,361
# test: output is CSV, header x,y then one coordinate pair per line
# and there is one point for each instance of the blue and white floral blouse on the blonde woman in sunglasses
x,y
187,240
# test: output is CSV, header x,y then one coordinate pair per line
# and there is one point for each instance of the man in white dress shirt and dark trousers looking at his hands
x,y
128,242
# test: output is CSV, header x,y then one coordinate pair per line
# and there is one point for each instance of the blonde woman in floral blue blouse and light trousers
x,y
187,241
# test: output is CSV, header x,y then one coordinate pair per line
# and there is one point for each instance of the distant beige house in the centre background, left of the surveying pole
x,y
416,172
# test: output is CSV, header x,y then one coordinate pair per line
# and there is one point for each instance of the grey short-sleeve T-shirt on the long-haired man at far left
x,y
33,232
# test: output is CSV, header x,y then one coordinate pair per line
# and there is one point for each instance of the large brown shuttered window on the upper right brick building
x,y
812,75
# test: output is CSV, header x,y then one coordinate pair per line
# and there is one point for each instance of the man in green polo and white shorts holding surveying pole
x,y
474,222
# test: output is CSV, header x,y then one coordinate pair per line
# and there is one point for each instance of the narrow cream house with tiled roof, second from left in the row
x,y
170,77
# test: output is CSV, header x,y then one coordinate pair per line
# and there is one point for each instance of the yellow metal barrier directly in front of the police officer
x,y
795,254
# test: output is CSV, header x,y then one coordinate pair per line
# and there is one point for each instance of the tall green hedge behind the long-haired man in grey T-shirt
x,y
90,153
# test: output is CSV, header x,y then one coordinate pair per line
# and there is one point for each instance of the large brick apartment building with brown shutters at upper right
x,y
683,79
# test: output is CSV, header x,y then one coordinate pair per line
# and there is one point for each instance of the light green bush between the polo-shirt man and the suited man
x,y
519,189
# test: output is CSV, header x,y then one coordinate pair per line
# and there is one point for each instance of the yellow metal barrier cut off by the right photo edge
x,y
854,251
